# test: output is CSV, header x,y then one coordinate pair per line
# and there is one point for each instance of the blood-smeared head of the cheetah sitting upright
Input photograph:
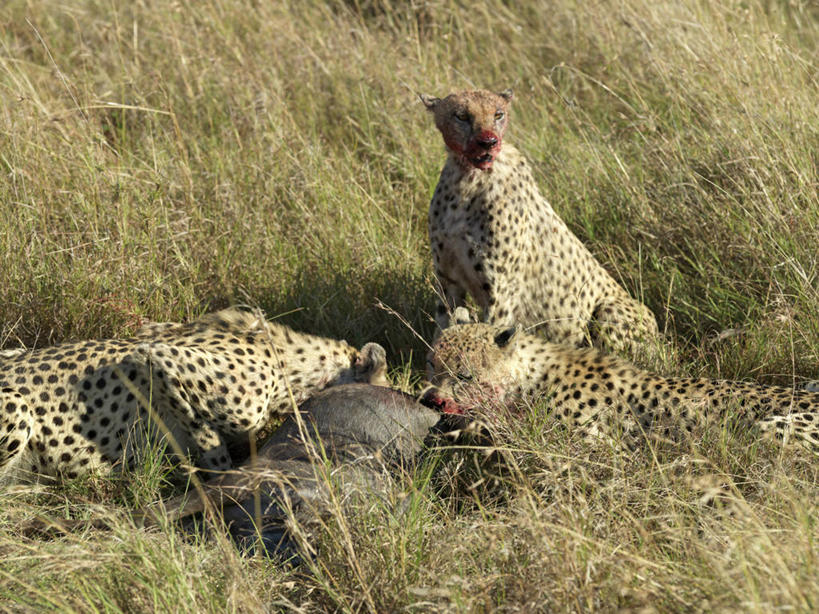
x,y
472,124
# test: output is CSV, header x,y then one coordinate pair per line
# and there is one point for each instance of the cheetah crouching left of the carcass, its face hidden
x,y
78,407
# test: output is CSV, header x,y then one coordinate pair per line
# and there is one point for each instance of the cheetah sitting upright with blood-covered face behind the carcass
x,y
495,237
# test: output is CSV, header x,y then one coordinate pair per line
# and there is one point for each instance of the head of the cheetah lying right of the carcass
x,y
471,365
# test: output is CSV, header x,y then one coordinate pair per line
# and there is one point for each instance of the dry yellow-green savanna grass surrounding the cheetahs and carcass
x,y
162,159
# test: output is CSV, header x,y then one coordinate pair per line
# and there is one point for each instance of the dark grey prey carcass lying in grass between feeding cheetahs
x,y
360,432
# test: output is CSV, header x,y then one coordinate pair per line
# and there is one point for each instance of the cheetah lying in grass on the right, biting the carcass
x,y
603,395
